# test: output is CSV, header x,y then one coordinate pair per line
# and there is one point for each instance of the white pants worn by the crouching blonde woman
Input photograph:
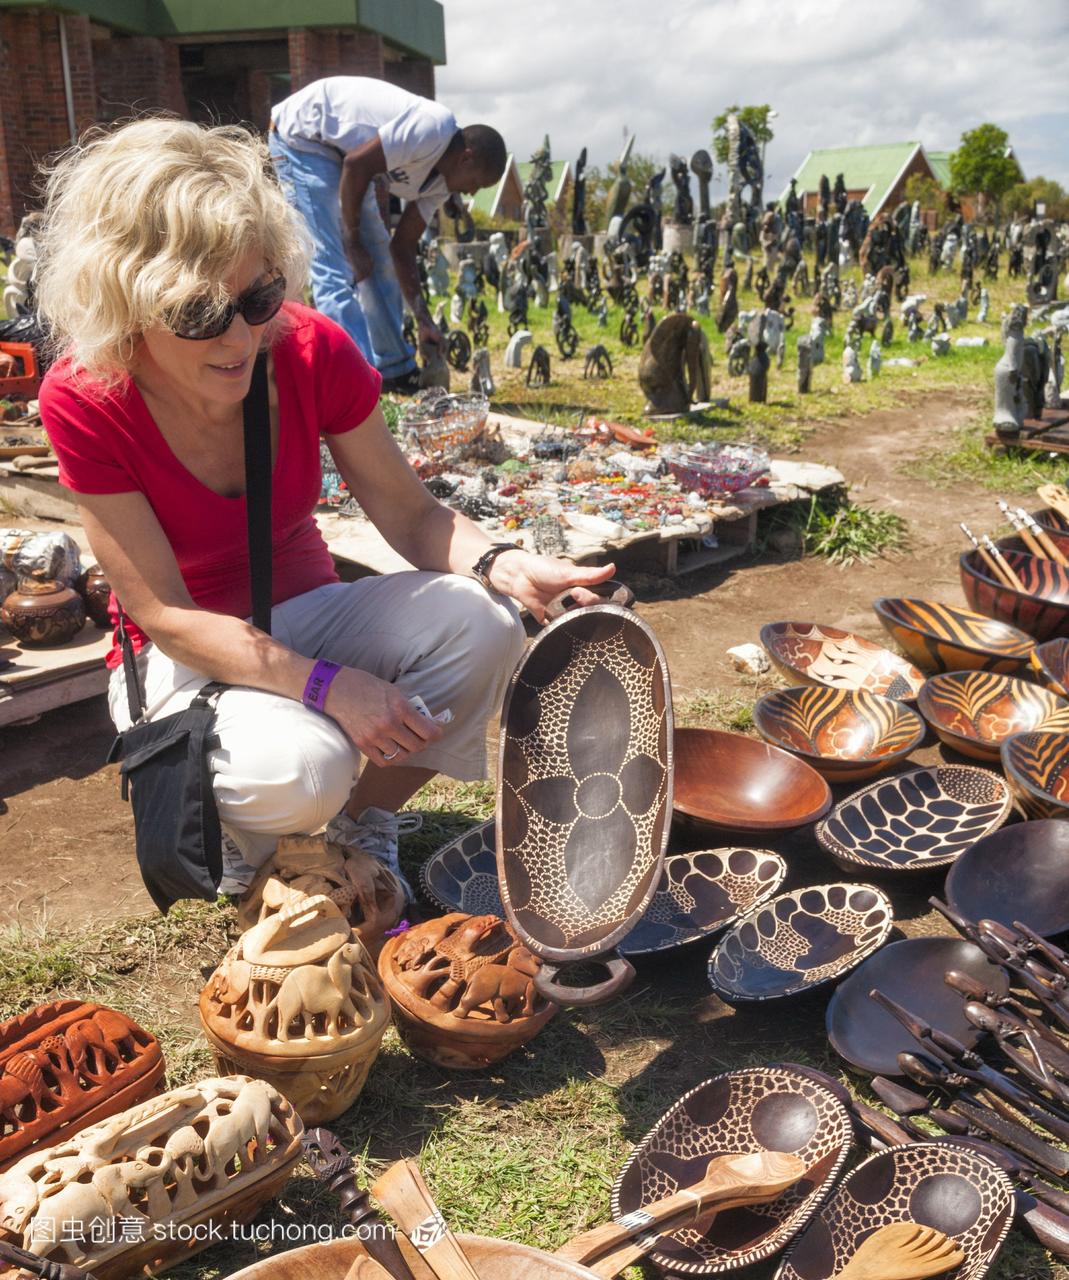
x,y
282,769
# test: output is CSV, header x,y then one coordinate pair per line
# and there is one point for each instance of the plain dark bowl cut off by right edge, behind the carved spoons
x,y
1018,874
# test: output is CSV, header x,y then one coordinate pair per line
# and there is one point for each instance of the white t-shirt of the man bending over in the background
x,y
346,112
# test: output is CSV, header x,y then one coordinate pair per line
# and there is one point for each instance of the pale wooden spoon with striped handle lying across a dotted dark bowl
x,y
729,1183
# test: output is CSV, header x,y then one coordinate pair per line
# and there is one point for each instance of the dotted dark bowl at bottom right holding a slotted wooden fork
x,y
952,1188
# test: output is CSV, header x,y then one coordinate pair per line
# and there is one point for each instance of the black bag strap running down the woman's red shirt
x,y
257,423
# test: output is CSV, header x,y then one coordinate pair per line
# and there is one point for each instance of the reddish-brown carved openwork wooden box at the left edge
x,y
66,1066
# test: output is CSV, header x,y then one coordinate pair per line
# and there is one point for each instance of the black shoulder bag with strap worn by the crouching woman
x,y
166,771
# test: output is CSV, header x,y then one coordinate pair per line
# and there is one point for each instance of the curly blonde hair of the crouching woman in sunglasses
x,y
141,221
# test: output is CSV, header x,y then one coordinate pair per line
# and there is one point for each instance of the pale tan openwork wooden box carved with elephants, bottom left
x,y
122,1196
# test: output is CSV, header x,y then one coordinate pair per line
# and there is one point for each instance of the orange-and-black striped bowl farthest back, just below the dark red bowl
x,y
945,638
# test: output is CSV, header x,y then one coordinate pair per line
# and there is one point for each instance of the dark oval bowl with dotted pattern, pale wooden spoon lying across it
x,y
755,1109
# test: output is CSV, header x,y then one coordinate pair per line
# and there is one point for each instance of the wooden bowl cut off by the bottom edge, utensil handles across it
x,y
495,1260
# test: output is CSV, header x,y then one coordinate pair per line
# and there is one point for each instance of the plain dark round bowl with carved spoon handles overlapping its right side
x,y
911,972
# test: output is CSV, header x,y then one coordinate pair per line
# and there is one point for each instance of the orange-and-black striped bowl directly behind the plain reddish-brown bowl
x,y
846,734
